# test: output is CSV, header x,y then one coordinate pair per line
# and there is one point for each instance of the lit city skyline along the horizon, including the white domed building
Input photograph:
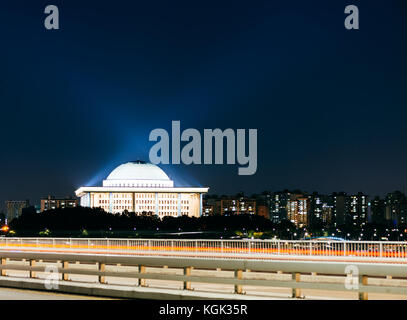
x,y
142,189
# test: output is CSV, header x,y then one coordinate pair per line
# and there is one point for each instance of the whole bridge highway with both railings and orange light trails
x,y
126,256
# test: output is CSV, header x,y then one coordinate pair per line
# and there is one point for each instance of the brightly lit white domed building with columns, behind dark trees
x,y
138,186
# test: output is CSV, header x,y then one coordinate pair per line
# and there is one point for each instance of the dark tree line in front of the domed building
x,y
84,218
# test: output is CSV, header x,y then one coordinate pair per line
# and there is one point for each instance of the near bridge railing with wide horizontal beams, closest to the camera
x,y
240,274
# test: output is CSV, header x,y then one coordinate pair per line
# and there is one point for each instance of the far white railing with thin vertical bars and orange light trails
x,y
215,248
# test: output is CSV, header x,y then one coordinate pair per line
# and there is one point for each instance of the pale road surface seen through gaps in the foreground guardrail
x,y
270,292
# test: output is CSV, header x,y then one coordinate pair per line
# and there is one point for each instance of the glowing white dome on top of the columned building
x,y
138,174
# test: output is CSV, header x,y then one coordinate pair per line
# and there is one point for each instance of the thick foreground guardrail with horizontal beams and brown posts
x,y
36,263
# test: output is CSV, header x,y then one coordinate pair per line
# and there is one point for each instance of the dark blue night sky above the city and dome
x,y
329,104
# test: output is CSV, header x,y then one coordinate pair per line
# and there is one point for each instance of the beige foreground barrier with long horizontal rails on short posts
x,y
66,262
